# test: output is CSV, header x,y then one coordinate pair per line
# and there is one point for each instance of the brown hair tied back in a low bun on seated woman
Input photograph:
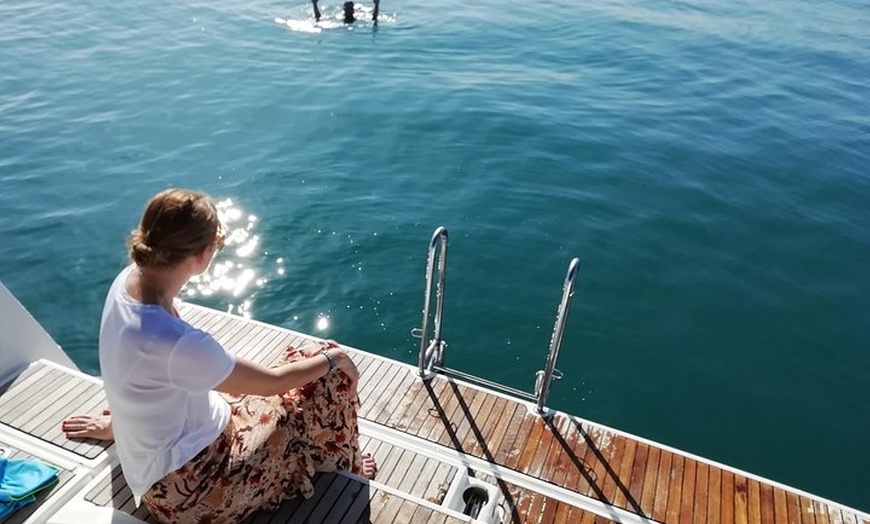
x,y
177,223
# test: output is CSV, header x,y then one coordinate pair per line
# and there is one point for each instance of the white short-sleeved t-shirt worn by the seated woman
x,y
159,372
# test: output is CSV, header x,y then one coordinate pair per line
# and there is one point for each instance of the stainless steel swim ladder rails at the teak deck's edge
x,y
432,349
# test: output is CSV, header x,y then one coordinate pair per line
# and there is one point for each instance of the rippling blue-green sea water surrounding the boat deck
x,y
706,160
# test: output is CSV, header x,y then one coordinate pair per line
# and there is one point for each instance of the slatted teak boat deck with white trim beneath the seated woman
x,y
427,436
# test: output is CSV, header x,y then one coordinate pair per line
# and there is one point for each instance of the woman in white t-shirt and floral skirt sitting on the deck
x,y
202,435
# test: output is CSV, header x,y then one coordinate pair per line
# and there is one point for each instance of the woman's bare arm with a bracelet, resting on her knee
x,y
253,379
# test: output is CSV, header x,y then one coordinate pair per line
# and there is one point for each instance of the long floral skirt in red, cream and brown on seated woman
x,y
269,451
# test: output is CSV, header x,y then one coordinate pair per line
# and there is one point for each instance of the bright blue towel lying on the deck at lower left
x,y
20,481
